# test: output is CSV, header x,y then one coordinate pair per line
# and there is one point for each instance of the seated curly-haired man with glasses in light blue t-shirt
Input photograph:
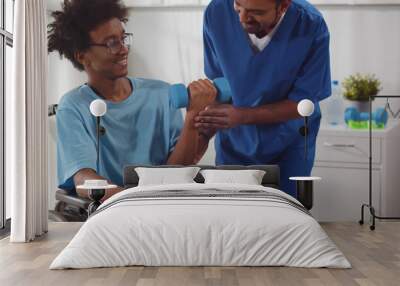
x,y
141,125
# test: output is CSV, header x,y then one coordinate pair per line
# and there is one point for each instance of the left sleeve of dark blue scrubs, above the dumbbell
x,y
212,67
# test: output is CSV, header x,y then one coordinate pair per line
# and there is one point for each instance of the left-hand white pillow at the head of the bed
x,y
165,176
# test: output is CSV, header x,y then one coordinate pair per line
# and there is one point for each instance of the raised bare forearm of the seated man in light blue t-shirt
x,y
191,145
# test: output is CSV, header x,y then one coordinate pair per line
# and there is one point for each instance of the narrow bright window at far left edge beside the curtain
x,y
6,44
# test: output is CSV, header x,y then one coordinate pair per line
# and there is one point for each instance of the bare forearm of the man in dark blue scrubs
x,y
270,113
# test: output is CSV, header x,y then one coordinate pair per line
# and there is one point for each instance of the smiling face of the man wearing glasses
x,y
98,60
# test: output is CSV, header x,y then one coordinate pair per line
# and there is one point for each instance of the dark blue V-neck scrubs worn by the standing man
x,y
295,66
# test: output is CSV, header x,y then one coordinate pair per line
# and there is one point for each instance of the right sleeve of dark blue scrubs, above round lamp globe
x,y
314,79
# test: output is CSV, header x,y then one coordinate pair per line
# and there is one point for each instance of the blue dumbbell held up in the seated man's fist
x,y
179,95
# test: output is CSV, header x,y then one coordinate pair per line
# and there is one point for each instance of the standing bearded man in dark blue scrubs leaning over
x,y
274,53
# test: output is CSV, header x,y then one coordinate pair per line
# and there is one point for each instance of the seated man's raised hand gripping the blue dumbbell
x,y
202,93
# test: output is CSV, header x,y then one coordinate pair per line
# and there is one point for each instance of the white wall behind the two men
x,y
168,46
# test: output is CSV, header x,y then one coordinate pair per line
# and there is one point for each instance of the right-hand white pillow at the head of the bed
x,y
248,177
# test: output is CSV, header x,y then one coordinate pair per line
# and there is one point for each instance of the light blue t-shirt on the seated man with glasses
x,y
142,129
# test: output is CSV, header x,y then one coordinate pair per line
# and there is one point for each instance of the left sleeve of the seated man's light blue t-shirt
x,y
76,149
